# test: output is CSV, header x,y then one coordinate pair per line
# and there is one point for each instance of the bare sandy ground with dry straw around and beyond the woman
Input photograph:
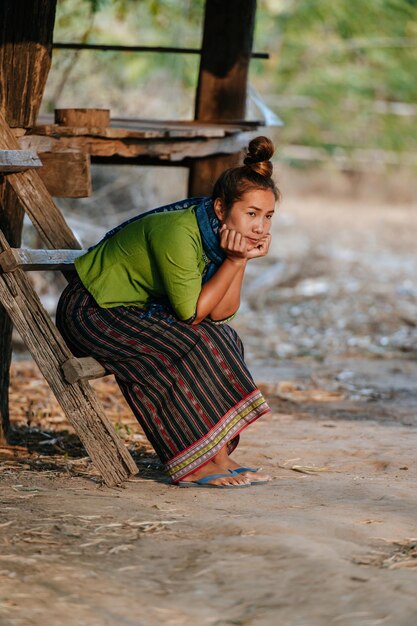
x,y
329,323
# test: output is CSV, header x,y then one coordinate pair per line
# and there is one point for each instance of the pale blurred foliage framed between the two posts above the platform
x,y
130,84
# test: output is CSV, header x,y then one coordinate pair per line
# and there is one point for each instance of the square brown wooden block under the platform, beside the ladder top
x,y
66,175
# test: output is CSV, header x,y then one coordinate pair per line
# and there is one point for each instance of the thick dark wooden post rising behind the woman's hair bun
x,y
222,82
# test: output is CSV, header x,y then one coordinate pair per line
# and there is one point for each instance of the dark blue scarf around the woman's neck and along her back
x,y
207,223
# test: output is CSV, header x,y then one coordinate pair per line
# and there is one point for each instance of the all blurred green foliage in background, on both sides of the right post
x,y
342,74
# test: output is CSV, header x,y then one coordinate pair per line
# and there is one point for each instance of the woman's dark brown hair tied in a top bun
x,y
256,173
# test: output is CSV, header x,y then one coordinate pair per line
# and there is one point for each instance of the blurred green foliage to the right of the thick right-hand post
x,y
343,67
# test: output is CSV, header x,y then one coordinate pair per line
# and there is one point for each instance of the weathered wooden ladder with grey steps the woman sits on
x,y
65,374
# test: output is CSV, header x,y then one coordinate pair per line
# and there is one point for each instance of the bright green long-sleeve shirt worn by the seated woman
x,y
155,259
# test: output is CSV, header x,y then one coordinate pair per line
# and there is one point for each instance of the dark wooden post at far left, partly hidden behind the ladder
x,y
26,30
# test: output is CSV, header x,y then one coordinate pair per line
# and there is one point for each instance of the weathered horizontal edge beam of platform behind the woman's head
x,y
142,141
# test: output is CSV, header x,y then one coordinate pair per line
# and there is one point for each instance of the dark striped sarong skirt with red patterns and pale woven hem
x,y
187,385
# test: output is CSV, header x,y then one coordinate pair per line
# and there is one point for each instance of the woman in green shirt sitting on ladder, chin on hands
x,y
151,302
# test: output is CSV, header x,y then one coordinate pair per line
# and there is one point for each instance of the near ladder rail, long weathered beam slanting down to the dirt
x,y
78,401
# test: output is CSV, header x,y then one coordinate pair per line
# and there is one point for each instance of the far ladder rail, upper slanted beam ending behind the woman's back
x,y
36,201
